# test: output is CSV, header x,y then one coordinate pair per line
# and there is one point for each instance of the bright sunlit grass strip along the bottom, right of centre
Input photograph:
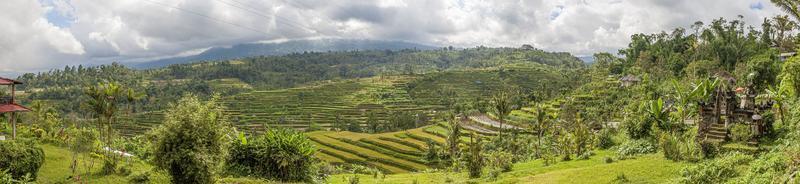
x,y
651,168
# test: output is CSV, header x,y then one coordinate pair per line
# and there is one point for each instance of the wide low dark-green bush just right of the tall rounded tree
x,y
278,154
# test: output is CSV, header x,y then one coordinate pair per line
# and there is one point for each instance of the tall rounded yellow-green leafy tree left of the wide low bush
x,y
192,142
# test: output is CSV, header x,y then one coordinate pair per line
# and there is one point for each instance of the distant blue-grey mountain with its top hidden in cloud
x,y
282,48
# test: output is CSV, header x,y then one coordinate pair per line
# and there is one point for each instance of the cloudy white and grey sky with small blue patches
x,y
39,35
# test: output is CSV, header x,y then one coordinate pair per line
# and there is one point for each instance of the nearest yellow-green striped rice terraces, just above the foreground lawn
x,y
394,152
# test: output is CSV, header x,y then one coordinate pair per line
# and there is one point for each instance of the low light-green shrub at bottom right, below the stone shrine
x,y
715,171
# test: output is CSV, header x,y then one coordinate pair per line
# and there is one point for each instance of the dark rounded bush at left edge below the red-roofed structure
x,y
21,159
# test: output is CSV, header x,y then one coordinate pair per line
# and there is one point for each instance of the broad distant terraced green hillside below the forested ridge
x,y
324,102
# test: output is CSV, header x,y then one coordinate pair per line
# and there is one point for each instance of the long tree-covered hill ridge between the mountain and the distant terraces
x,y
164,85
